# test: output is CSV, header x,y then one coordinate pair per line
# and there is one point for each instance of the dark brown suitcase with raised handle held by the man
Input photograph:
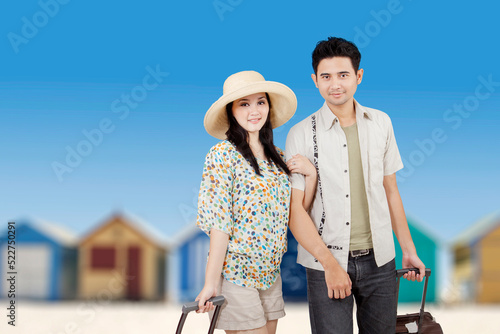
x,y
422,322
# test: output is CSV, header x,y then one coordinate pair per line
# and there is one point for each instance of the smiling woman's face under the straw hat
x,y
251,112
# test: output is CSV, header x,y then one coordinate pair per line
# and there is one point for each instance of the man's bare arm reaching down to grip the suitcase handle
x,y
400,228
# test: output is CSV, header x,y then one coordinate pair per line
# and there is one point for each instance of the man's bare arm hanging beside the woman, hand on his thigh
x,y
303,229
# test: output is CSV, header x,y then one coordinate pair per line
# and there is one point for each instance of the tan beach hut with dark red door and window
x,y
122,258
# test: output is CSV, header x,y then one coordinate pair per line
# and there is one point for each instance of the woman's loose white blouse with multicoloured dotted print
x,y
253,210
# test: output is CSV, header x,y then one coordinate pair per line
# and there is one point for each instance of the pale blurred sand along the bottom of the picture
x,y
86,317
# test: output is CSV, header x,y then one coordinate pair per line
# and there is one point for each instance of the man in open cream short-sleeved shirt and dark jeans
x,y
346,243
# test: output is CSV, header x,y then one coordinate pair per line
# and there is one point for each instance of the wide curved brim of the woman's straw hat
x,y
283,106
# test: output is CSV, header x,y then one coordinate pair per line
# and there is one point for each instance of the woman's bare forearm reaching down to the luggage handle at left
x,y
218,248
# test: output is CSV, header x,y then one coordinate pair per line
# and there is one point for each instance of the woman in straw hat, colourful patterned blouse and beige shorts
x,y
244,200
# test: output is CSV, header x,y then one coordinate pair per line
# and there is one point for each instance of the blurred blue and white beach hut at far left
x,y
45,261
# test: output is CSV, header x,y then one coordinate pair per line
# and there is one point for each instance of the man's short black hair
x,y
336,47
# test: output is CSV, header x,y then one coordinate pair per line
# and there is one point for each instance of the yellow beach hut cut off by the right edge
x,y
476,268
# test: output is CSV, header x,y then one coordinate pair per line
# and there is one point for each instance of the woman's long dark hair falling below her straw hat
x,y
238,136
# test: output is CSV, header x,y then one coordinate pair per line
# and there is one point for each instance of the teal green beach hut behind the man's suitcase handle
x,y
427,245
